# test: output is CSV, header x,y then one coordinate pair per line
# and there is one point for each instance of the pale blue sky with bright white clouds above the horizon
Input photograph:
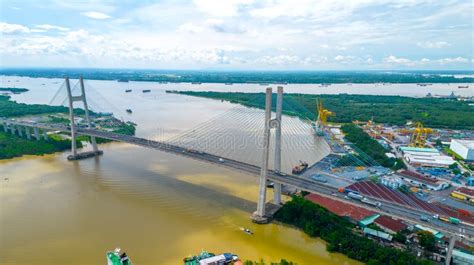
x,y
238,34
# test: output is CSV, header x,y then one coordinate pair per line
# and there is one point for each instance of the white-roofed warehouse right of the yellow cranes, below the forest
x,y
426,157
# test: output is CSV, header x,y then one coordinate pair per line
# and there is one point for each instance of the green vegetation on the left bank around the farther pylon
x,y
14,146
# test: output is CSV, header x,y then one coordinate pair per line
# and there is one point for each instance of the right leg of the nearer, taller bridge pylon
x,y
277,162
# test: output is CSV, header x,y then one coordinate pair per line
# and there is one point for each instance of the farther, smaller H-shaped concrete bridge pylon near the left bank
x,y
95,151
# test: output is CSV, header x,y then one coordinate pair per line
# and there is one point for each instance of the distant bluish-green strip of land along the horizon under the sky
x,y
252,77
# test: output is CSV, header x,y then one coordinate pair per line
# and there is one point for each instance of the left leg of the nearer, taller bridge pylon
x,y
264,168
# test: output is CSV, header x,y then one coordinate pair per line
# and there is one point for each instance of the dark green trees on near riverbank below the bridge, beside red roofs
x,y
339,234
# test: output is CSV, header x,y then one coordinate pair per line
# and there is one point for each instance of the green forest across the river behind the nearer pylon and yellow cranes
x,y
395,110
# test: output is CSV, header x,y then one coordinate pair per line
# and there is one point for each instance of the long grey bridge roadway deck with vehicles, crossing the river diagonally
x,y
403,212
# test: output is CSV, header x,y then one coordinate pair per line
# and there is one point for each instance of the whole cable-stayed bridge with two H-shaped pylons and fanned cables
x,y
226,140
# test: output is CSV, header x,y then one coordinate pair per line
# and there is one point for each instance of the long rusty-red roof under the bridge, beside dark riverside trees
x,y
340,208
